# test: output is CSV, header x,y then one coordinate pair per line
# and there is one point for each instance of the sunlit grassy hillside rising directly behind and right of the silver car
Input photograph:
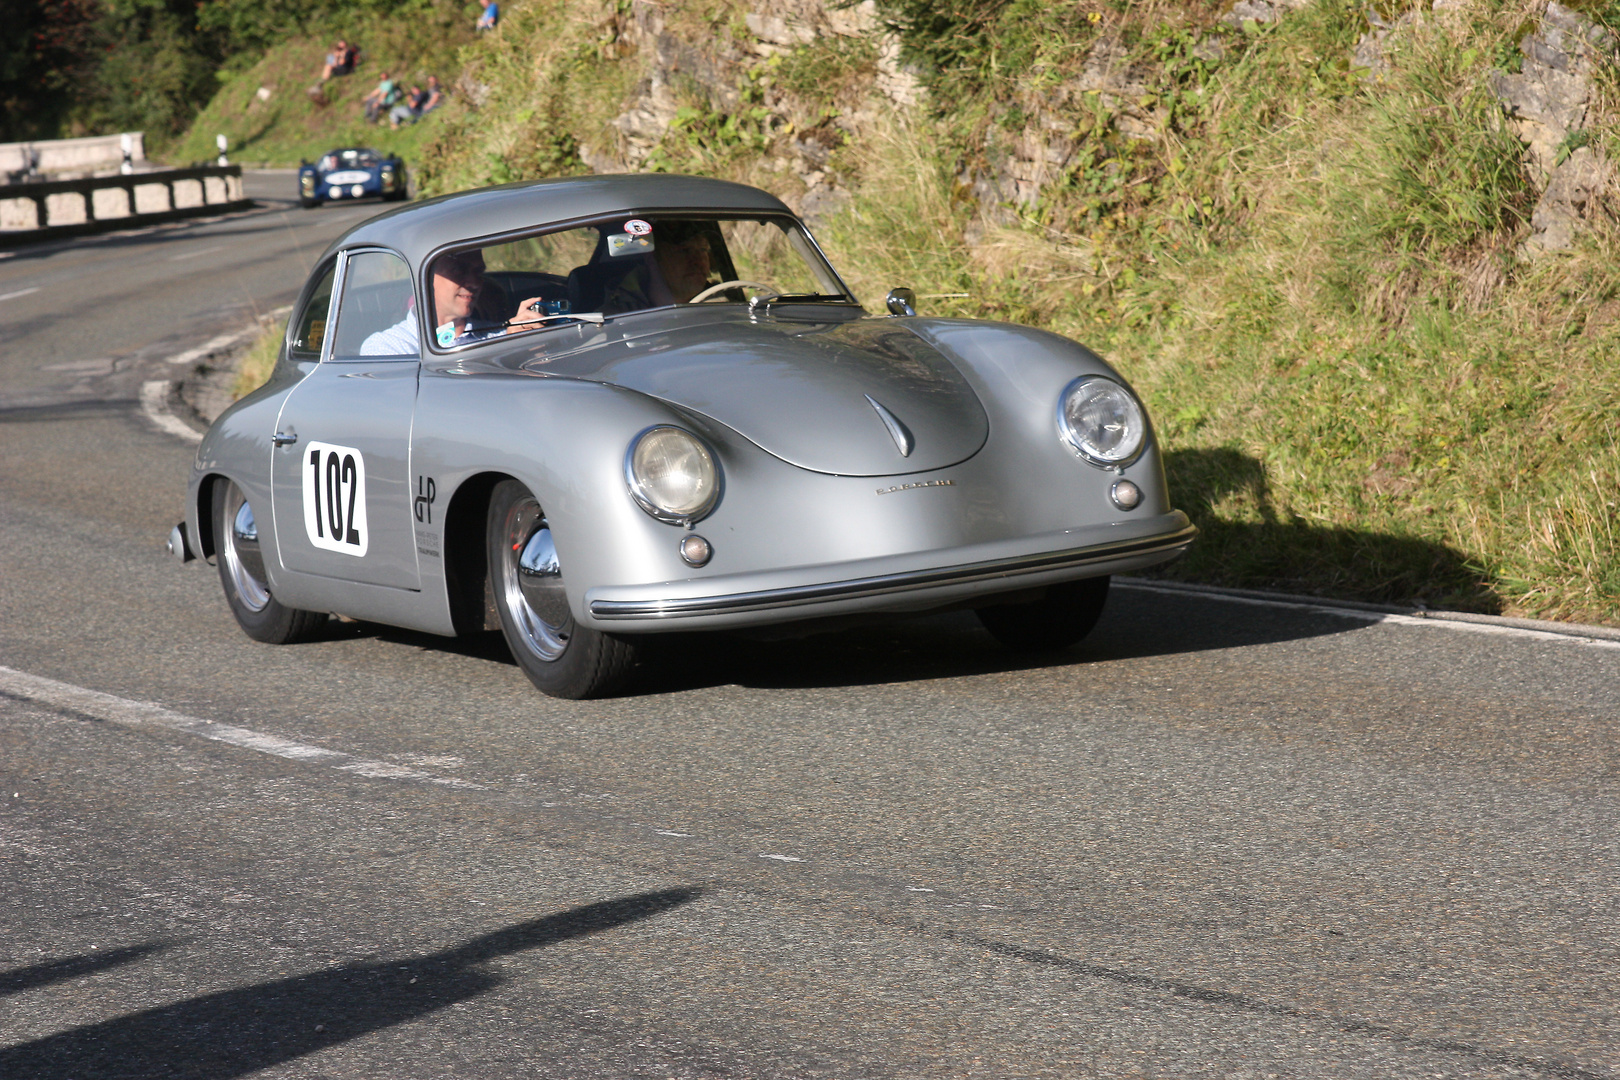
x,y
1366,388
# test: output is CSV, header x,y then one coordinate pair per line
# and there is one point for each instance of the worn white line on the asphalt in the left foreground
x,y
106,707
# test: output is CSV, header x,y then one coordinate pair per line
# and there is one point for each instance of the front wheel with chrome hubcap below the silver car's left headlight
x,y
558,655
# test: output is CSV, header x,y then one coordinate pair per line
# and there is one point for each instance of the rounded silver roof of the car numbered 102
x,y
419,229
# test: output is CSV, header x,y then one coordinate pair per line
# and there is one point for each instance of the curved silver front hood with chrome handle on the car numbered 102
x,y
864,398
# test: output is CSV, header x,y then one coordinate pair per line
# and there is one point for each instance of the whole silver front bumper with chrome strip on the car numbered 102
x,y
895,584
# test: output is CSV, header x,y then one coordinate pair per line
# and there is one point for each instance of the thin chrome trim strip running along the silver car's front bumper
x,y
1013,572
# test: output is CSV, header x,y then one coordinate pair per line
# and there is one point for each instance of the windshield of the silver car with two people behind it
x,y
623,266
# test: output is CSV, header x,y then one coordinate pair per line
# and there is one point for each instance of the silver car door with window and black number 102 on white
x,y
341,469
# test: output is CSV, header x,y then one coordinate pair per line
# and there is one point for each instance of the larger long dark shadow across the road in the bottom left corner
x,y
237,1032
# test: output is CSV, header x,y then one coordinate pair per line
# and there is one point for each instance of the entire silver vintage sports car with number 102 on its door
x,y
590,410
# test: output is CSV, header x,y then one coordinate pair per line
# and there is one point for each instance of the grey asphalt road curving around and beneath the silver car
x,y
1217,840
